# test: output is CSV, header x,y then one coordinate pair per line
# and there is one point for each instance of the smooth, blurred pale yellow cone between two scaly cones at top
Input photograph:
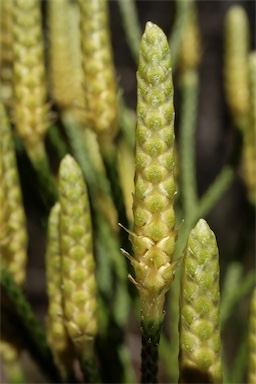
x,y
64,65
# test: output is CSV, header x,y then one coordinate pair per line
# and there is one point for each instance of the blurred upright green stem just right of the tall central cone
x,y
187,142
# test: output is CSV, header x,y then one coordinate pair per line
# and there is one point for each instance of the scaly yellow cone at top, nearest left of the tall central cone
x,y
100,87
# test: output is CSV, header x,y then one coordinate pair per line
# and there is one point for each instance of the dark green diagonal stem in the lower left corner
x,y
29,327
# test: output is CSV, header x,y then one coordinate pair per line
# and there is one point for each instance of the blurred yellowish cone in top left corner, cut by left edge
x,y
6,57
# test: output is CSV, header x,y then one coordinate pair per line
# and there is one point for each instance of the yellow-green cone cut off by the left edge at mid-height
x,y
13,234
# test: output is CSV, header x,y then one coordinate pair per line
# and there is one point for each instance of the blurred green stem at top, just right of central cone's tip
x,y
182,14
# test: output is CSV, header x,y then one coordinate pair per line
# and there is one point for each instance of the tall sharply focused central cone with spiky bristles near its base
x,y
154,237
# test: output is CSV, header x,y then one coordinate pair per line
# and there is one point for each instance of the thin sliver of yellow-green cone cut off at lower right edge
x,y
252,341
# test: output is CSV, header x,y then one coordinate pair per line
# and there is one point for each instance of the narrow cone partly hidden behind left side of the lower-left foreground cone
x,y
57,336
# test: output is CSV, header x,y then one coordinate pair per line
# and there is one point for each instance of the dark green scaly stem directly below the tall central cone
x,y
149,353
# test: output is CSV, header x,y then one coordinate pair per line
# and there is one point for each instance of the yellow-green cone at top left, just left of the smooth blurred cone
x,y
30,107
